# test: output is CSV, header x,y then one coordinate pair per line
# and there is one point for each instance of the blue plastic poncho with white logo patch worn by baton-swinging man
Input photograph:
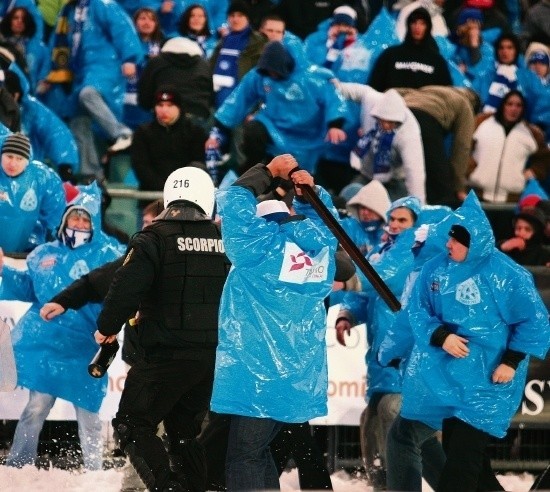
x,y
271,357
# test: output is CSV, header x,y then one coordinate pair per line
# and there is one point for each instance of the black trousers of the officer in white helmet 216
x,y
176,392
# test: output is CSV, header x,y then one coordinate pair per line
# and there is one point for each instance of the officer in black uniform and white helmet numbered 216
x,y
173,275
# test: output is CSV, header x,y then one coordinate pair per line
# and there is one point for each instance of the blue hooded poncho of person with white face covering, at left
x,y
52,357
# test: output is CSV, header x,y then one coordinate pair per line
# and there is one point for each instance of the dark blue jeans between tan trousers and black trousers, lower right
x,y
412,451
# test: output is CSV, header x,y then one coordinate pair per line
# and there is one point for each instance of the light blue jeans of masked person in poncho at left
x,y
25,440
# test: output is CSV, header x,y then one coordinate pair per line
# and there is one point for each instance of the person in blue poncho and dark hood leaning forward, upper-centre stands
x,y
299,111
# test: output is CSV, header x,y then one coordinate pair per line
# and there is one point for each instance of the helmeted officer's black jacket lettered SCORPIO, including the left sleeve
x,y
173,275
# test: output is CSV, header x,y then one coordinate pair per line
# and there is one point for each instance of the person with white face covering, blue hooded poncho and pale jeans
x,y
52,358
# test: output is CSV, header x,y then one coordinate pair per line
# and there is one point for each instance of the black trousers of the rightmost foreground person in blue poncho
x,y
468,467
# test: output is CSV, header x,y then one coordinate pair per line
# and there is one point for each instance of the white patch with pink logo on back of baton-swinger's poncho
x,y
300,268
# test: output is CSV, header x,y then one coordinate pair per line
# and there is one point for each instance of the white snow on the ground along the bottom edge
x,y
31,479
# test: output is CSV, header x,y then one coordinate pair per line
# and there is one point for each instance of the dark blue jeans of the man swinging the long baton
x,y
249,464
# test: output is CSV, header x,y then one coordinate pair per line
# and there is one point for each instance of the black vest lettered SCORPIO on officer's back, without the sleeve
x,y
185,297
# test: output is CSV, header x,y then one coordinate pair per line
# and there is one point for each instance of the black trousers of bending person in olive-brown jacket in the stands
x,y
440,176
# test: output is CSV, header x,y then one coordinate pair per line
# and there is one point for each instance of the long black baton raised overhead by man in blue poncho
x,y
350,247
